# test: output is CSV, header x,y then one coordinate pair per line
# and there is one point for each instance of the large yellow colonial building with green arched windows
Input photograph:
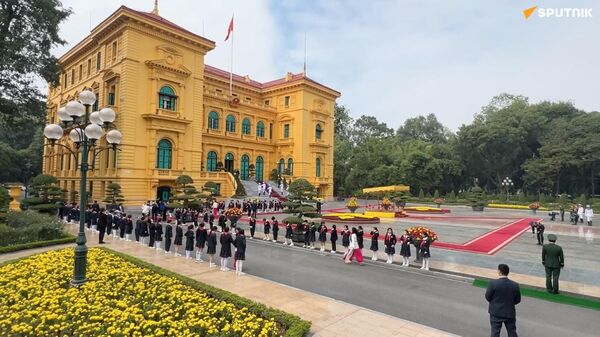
x,y
177,114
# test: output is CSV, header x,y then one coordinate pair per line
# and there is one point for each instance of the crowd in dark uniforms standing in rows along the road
x,y
165,229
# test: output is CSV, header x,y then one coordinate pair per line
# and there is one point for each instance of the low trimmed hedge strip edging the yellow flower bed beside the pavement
x,y
294,326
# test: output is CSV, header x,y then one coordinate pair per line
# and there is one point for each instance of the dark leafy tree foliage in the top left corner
x,y
28,31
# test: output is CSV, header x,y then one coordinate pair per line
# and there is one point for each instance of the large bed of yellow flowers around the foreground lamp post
x,y
120,299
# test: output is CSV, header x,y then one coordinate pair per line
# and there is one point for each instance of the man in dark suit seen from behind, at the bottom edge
x,y
503,294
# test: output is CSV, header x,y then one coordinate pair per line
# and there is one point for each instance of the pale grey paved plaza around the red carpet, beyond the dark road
x,y
581,274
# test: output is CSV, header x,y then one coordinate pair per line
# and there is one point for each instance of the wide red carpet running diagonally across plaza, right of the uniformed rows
x,y
491,242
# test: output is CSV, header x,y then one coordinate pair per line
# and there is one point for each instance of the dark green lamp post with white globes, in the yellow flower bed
x,y
83,129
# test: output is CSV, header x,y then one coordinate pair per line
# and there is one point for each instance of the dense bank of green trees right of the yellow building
x,y
547,147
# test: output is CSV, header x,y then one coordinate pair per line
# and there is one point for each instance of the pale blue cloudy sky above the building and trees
x,y
392,59
